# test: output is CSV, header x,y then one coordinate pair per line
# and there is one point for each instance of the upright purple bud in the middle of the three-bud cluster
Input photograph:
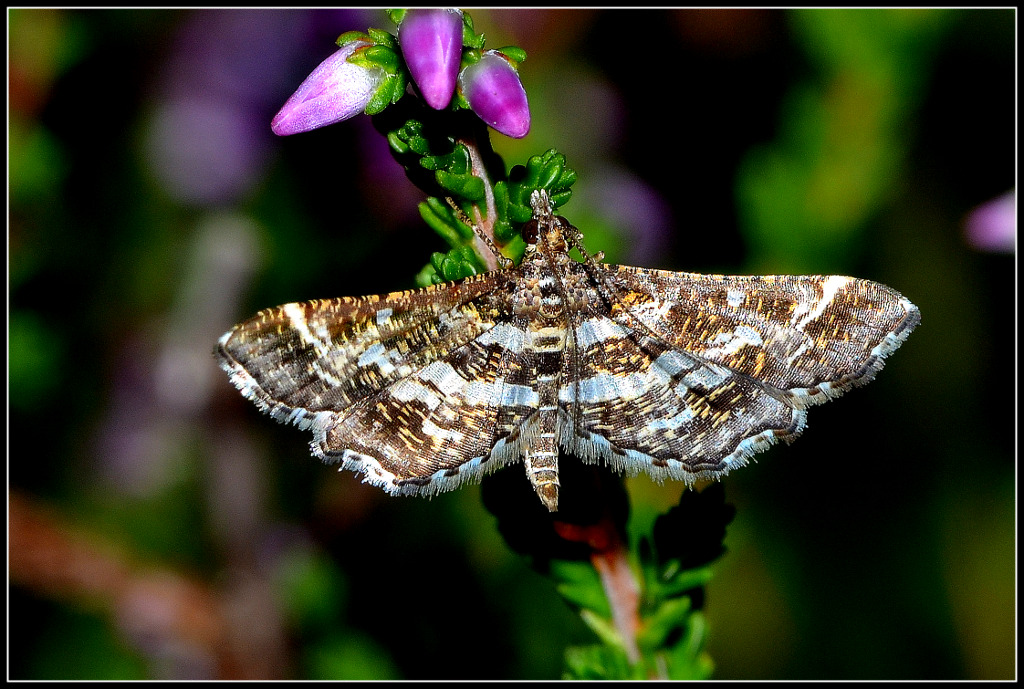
x,y
432,45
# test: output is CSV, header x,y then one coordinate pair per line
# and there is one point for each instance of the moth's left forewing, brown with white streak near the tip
x,y
297,361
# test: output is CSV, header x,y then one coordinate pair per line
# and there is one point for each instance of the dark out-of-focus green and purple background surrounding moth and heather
x,y
161,528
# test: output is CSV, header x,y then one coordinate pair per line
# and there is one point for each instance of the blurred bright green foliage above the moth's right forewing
x,y
807,196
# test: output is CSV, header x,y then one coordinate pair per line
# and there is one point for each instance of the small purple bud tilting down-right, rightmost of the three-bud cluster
x,y
494,92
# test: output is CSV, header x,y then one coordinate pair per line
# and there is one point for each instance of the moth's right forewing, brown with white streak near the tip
x,y
812,336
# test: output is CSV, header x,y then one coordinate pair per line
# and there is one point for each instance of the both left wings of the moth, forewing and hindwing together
x,y
418,391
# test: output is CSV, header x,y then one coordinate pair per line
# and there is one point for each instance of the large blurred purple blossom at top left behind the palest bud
x,y
205,139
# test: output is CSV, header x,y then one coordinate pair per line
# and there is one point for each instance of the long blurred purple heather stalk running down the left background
x,y
207,147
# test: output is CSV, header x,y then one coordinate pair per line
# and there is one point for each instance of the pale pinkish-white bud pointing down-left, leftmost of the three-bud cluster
x,y
334,92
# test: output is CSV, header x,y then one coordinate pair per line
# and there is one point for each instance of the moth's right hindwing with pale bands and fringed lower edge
x,y
637,402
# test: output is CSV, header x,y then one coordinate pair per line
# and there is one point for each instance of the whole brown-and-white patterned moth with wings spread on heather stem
x,y
679,375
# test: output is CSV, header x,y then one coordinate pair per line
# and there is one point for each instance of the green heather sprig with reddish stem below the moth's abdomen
x,y
669,568
